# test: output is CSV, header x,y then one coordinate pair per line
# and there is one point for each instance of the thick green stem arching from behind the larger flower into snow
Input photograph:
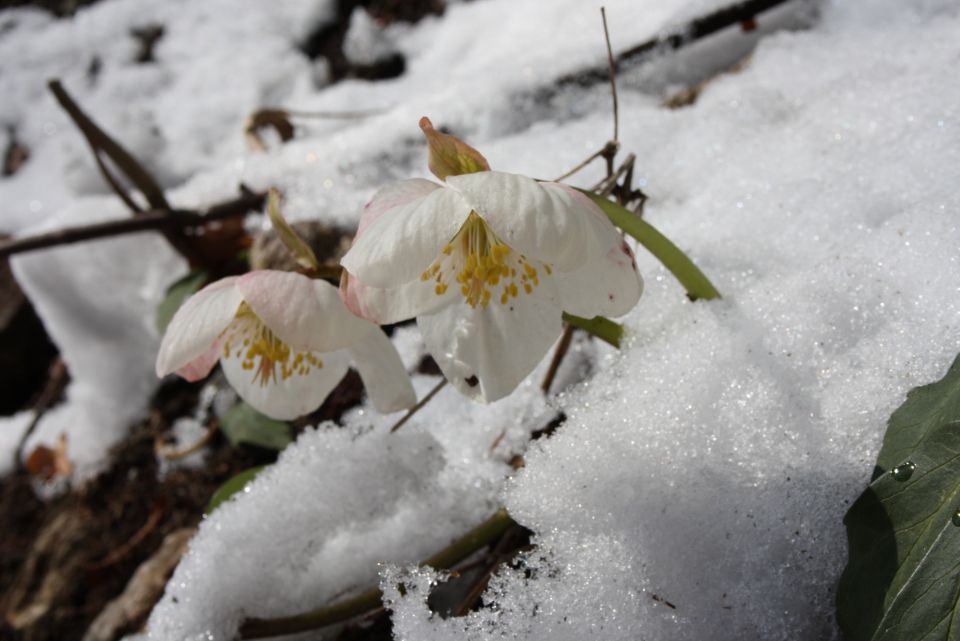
x,y
693,280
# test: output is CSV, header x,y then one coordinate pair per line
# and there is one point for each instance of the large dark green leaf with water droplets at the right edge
x,y
902,580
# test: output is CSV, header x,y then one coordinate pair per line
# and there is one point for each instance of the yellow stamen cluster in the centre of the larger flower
x,y
484,267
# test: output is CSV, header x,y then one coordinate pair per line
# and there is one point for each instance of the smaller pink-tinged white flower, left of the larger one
x,y
284,341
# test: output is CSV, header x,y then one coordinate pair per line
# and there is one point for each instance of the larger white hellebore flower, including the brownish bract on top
x,y
487,262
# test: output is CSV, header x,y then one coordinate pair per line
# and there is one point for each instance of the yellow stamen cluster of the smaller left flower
x,y
262,352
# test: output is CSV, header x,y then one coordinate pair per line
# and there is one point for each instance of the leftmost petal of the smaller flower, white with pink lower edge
x,y
197,325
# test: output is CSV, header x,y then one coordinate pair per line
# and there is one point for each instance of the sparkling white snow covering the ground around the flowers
x,y
708,464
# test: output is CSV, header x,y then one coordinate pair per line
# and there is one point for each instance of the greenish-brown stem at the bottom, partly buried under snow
x,y
480,536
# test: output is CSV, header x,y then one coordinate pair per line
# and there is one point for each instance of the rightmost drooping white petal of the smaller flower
x,y
383,373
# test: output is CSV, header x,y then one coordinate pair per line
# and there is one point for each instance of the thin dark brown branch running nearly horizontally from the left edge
x,y
157,220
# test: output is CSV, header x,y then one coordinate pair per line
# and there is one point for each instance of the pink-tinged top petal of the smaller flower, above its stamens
x,y
304,313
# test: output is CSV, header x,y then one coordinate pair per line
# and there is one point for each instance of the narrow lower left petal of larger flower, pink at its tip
x,y
383,306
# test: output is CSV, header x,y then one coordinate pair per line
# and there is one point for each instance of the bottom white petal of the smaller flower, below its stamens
x,y
290,398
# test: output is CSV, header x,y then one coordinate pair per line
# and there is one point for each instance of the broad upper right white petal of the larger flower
x,y
544,221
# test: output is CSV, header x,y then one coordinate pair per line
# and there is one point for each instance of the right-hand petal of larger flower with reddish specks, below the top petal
x,y
606,286
